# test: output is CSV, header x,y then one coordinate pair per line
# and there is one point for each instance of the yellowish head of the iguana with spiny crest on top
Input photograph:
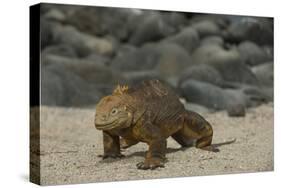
x,y
111,113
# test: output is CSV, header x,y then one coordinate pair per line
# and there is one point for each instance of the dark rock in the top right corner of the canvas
x,y
258,30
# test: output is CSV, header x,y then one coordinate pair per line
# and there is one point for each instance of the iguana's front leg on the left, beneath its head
x,y
111,146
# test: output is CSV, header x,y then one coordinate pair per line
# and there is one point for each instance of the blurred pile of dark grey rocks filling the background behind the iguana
x,y
214,62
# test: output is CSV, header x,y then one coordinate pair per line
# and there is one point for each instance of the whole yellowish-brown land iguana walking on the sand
x,y
150,113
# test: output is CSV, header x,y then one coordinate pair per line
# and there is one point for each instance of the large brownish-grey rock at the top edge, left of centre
x,y
101,21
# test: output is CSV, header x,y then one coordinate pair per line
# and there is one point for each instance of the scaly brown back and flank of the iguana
x,y
154,98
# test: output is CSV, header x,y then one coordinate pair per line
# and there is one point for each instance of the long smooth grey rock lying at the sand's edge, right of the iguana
x,y
214,97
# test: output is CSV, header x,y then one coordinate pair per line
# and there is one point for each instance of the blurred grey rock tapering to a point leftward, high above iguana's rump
x,y
188,38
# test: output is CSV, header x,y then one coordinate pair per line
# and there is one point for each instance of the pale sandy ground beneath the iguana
x,y
70,145
